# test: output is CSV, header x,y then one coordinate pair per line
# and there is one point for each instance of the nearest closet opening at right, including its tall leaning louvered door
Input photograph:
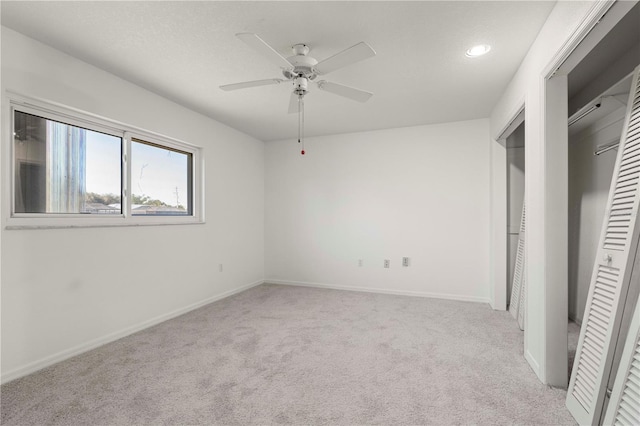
x,y
601,88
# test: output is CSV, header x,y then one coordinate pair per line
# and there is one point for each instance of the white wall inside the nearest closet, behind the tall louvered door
x,y
589,183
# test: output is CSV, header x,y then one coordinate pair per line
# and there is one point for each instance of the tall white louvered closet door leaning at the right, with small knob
x,y
611,275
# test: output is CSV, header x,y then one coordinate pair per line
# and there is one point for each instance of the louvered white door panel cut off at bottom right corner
x,y
624,405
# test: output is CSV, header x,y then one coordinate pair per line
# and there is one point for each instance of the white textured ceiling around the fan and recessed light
x,y
184,50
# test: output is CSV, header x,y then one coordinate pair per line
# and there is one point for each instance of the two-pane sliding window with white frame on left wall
x,y
69,169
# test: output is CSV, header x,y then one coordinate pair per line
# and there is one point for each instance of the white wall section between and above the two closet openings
x,y
545,345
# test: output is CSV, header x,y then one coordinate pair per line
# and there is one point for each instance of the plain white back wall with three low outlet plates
x,y
420,192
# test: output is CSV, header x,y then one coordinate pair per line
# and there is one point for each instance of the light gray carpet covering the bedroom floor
x,y
294,355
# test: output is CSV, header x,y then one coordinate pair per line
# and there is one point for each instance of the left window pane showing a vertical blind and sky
x,y
62,168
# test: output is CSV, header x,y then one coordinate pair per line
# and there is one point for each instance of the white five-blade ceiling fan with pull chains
x,y
300,69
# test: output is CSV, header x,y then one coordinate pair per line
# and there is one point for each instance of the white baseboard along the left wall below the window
x,y
92,344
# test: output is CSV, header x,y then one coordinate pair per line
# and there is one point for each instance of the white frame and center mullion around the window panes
x,y
61,113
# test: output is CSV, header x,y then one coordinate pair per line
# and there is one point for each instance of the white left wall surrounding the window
x,y
66,290
